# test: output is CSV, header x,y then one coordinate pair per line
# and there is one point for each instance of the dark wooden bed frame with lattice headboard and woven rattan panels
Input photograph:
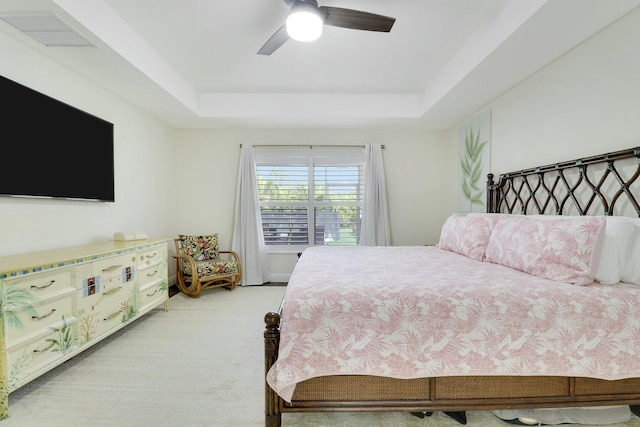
x,y
597,185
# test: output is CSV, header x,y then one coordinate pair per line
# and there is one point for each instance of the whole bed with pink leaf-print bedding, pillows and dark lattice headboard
x,y
422,329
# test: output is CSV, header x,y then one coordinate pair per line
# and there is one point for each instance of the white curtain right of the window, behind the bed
x,y
375,230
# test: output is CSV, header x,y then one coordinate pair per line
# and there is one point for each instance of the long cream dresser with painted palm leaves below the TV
x,y
57,303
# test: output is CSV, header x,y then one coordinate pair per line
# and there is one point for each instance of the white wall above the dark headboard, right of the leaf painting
x,y
585,103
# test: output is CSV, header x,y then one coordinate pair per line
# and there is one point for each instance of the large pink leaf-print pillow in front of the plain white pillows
x,y
563,250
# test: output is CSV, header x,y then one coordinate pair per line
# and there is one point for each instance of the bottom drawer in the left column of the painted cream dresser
x,y
31,356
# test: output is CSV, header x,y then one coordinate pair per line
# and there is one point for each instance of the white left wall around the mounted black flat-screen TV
x,y
144,167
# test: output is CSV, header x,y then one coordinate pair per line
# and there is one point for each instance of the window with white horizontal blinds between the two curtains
x,y
310,196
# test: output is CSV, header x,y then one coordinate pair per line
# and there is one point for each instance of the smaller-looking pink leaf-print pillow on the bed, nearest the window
x,y
467,235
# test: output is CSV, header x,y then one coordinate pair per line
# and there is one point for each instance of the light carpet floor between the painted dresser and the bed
x,y
199,364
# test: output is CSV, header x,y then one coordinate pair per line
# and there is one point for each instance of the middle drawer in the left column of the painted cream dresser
x,y
38,318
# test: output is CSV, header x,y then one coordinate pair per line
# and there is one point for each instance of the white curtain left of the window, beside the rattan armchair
x,y
248,240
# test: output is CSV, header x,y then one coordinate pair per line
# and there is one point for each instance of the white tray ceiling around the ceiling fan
x,y
193,63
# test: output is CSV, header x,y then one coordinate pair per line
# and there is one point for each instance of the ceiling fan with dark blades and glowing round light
x,y
317,17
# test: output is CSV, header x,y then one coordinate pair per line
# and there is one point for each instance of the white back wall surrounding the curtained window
x,y
420,169
